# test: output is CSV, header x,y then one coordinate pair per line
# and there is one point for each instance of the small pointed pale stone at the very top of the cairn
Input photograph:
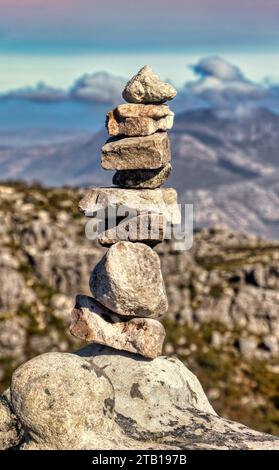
x,y
146,87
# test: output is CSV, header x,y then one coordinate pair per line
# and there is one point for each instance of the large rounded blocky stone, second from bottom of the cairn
x,y
128,280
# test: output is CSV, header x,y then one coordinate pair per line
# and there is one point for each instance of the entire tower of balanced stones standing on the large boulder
x,y
127,285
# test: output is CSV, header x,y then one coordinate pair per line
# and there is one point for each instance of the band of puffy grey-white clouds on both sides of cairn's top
x,y
218,84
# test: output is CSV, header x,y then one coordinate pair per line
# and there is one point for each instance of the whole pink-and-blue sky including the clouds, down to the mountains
x,y
219,53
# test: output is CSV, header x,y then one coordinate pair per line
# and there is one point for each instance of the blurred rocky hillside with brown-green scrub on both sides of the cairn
x,y
224,266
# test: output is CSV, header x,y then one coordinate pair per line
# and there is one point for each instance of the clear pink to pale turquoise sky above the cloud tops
x,y
58,41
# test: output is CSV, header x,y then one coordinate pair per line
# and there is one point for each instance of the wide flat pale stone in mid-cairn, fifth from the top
x,y
162,201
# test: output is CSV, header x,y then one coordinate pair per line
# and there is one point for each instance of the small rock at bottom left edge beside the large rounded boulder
x,y
10,430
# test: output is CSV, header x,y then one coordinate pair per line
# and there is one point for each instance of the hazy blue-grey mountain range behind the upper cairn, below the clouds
x,y
227,166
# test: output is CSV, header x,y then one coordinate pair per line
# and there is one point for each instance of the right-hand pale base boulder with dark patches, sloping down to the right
x,y
162,400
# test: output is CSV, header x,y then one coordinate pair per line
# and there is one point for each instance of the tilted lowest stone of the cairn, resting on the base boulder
x,y
94,322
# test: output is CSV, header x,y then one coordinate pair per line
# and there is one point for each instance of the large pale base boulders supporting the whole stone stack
x,y
67,401
